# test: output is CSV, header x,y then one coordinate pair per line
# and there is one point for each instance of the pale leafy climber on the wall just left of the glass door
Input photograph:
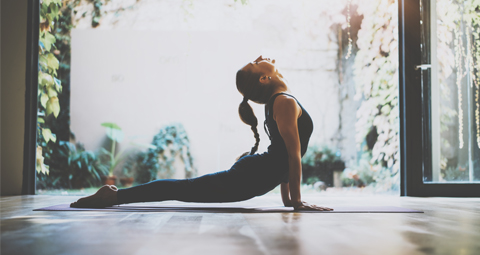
x,y
376,77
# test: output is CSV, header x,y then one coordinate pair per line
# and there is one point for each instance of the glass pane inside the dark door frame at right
x,y
451,44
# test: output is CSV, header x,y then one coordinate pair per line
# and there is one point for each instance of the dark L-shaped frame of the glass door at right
x,y
415,137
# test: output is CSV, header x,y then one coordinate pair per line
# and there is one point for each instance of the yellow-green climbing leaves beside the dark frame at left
x,y
53,129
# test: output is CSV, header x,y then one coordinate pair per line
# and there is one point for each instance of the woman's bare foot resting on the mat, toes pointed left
x,y
106,196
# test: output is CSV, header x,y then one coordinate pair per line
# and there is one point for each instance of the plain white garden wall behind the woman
x,y
149,67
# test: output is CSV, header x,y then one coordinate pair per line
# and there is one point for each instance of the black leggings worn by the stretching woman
x,y
251,176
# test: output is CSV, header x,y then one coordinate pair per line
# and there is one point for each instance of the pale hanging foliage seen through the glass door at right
x,y
458,48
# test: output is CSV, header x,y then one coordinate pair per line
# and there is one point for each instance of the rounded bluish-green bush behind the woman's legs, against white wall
x,y
170,144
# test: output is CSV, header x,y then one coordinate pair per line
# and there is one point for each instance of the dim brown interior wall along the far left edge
x,y
13,65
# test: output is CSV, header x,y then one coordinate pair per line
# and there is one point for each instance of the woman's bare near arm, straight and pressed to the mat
x,y
286,111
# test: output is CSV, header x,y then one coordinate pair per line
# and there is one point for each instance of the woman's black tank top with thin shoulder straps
x,y
277,146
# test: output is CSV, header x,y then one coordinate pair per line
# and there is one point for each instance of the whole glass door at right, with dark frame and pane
x,y
439,55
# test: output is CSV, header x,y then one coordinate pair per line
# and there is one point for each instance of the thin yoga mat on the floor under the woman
x,y
228,209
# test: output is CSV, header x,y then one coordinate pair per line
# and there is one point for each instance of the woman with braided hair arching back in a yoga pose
x,y
289,128
